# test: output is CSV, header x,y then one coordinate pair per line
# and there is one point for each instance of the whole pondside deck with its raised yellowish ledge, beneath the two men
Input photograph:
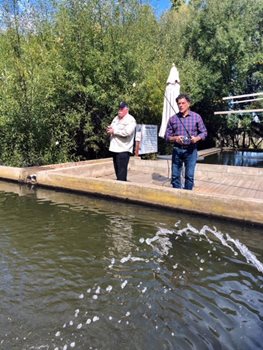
x,y
222,191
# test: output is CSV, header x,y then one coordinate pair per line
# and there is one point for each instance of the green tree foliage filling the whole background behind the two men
x,y
66,64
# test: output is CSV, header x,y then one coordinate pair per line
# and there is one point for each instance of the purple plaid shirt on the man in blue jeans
x,y
193,122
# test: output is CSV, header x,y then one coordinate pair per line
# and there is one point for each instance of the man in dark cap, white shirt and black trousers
x,y
122,131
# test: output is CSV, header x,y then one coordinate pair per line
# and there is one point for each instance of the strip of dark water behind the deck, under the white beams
x,y
235,158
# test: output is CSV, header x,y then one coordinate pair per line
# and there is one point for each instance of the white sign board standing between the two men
x,y
146,139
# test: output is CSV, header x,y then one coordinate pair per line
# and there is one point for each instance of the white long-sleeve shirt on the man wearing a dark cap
x,y
124,130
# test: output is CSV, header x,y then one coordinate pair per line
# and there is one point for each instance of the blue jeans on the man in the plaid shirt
x,y
188,157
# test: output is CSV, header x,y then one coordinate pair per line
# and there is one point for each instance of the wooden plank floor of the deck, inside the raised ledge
x,y
209,179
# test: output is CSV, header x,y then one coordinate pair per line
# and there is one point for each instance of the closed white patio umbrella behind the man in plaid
x,y
171,93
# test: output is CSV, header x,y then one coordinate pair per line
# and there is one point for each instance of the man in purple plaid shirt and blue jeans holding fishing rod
x,y
184,130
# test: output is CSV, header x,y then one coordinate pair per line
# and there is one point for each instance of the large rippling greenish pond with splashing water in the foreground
x,y
83,273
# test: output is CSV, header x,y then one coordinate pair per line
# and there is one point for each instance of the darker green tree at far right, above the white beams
x,y
226,37
